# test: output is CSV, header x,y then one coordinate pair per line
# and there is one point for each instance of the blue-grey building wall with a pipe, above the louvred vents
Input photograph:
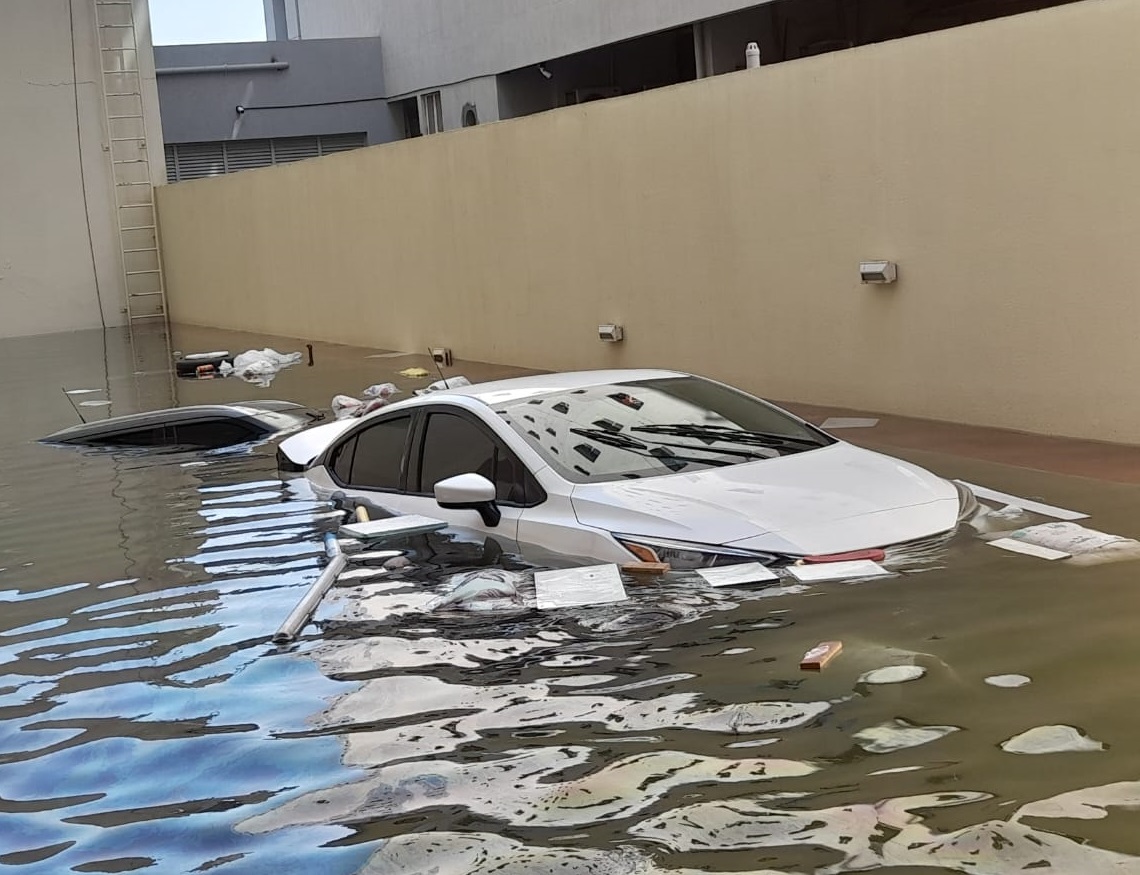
x,y
323,75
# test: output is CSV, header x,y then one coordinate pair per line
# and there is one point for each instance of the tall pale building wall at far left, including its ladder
x,y
80,148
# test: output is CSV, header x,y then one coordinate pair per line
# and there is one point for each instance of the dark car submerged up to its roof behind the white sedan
x,y
207,427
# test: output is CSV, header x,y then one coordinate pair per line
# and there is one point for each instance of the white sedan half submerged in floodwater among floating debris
x,y
626,465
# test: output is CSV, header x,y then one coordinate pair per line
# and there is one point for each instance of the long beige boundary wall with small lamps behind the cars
x,y
723,223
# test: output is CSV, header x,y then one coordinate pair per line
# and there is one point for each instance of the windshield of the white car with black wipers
x,y
648,429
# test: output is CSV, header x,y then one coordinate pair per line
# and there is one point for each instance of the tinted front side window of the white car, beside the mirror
x,y
454,445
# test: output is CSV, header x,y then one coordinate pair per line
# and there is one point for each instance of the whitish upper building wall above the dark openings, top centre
x,y
429,44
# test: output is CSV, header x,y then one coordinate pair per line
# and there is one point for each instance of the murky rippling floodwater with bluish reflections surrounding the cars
x,y
978,721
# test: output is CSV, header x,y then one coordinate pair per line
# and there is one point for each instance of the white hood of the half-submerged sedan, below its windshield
x,y
834,500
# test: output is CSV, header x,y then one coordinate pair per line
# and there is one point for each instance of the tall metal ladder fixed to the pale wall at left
x,y
131,161
